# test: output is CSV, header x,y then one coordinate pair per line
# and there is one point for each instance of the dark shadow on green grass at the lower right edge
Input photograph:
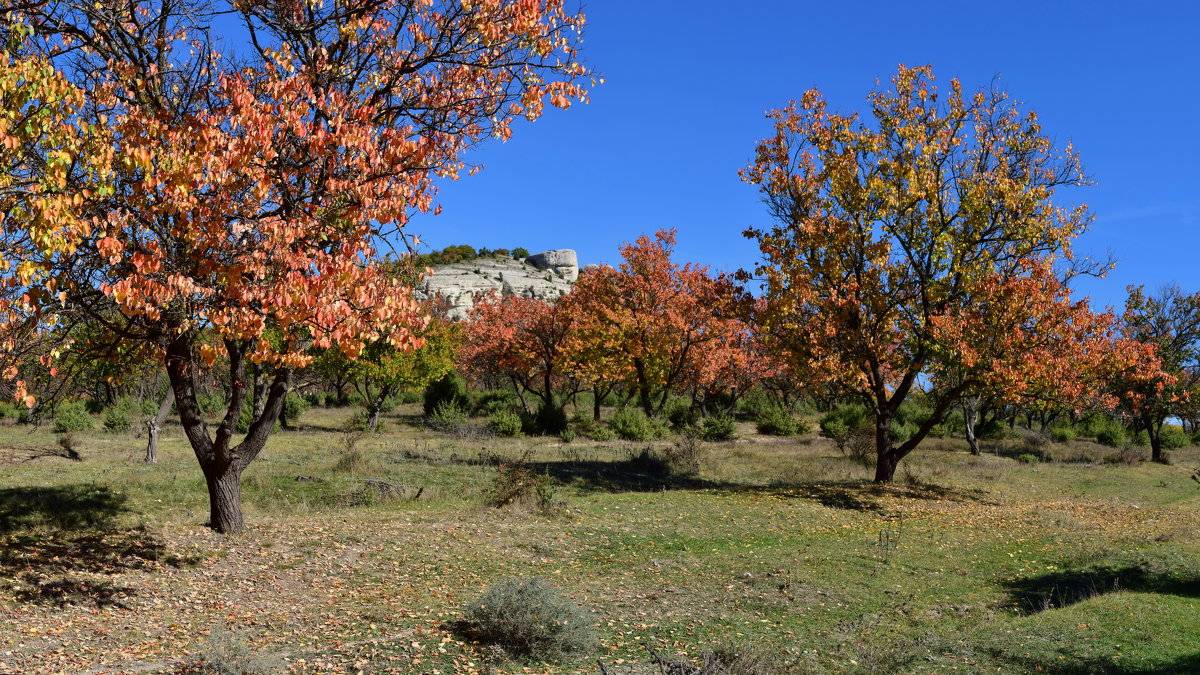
x,y
1066,588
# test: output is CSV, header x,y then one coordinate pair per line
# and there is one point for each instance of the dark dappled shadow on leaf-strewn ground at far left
x,y
57,545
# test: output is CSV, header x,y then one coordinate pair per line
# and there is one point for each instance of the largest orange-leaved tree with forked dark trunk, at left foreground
x,y
172,192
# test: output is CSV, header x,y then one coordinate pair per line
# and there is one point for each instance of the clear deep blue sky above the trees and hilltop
x,y
688,83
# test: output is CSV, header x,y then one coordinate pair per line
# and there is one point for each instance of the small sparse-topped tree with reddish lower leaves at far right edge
x,y
1169,325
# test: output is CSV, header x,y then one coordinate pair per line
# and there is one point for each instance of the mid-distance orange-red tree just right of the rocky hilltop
x,y
653,318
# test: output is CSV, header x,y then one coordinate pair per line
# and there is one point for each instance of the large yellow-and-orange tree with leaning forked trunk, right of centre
x,y
910,241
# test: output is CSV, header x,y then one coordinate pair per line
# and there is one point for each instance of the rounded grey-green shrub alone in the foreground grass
x,y
529,618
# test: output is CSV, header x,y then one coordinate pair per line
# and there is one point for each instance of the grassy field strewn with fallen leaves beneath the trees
x,y
357,561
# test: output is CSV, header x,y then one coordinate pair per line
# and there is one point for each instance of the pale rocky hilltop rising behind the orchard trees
x,y
548,277
